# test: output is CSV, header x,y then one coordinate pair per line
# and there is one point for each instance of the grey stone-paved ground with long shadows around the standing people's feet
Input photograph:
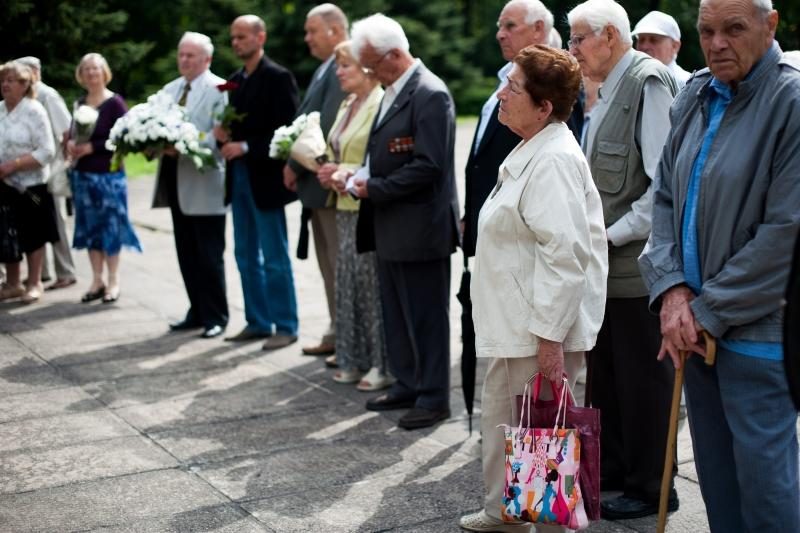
x,y
110,423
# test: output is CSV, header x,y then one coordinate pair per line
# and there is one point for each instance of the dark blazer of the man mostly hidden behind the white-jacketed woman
x,y
480,176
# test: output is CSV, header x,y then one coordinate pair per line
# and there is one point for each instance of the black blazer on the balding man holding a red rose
x,y
269,98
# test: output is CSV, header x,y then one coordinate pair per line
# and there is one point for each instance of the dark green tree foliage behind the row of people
x,y
455,38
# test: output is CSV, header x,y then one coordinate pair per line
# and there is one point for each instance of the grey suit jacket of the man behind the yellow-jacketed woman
x,y
324,95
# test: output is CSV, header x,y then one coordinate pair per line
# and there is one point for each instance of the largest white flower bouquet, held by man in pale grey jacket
x,y
151,127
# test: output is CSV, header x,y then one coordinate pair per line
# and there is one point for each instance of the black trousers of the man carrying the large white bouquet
x,y
200,243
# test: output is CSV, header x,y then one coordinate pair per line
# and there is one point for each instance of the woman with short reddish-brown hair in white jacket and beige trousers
x,y
539,281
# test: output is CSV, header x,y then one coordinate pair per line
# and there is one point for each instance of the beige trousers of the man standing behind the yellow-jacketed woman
x,y
326,246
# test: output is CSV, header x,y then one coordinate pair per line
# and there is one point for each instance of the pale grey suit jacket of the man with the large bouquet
x,y
199,193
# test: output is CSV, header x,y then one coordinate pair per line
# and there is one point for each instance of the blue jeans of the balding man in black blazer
x,y
261,249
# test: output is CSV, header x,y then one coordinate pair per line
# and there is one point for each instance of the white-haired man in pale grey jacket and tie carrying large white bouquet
x,y
196,198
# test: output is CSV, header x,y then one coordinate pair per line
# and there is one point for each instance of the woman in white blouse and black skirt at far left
x,y
26,148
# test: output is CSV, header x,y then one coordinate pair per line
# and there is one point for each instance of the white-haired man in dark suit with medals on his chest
x,y
409,181
